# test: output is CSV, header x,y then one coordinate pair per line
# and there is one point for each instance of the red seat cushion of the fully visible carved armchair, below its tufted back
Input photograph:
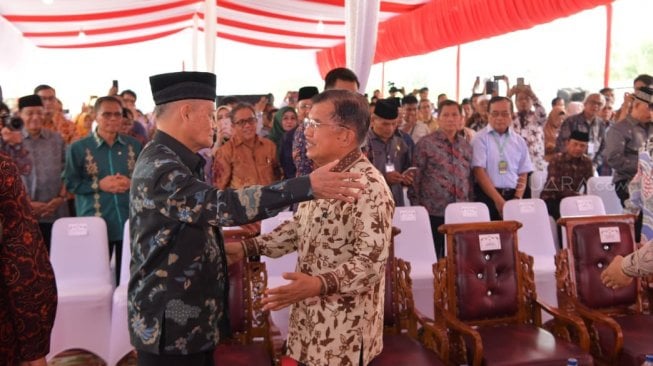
x,y
527,345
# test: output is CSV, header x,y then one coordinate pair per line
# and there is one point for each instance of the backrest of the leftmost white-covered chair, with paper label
x,y
80,250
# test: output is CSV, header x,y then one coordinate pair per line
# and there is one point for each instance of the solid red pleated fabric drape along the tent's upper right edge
x,y
444,23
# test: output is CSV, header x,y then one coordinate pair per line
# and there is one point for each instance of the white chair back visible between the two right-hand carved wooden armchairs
x,y
535,236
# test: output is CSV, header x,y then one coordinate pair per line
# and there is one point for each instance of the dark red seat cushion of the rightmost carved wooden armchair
x,y
638,338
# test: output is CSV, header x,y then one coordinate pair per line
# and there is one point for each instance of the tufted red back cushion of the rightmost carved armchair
x,y
591,257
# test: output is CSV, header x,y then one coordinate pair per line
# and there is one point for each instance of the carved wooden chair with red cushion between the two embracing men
x,y
251,341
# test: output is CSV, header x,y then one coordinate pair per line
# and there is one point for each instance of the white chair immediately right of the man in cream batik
x,y
415,245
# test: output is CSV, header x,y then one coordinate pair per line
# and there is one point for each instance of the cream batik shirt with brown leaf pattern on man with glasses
x,y
346,246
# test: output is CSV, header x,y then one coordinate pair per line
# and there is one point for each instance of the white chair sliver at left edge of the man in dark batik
x,y
119,344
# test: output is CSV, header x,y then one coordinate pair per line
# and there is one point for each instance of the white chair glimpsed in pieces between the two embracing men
x,y
276,266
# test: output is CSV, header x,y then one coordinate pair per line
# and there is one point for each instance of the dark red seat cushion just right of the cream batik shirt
x,y
403,350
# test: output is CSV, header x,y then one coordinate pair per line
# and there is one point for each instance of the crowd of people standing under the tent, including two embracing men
x,y
342,161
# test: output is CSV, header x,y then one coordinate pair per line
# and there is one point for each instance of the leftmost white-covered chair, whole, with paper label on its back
x,y
80,259
